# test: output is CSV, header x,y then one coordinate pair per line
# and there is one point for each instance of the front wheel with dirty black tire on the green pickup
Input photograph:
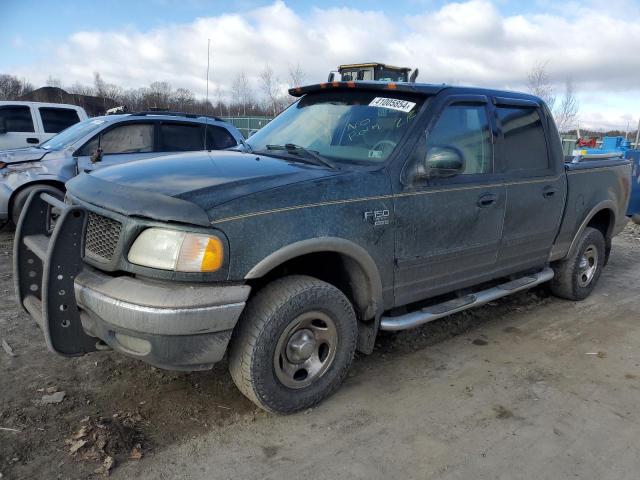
x,y
266,323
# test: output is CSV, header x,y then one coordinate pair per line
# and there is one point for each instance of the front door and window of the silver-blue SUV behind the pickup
x,y
122,143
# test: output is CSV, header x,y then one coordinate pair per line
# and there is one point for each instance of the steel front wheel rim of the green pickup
x,y
305,350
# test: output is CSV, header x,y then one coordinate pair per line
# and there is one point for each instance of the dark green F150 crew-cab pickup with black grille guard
x,y
362,207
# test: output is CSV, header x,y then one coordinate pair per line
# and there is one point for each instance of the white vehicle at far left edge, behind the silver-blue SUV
x,y
24,124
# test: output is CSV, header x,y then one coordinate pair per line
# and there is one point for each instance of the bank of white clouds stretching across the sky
x,y
466,43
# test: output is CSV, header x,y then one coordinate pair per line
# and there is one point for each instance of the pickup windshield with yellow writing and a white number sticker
x,y
351,126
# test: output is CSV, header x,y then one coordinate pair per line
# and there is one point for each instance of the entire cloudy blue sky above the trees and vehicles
x,y
494,43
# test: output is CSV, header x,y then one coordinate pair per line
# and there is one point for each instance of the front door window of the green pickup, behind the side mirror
x,y
465,128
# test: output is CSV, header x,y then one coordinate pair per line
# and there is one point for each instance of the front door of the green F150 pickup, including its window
x,y
449,225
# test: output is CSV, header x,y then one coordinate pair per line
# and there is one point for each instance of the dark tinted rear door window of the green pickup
x,y
524,145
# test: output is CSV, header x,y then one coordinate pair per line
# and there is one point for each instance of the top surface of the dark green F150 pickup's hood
x,y
208,179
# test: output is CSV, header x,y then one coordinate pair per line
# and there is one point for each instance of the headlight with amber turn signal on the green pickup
x,y
176,250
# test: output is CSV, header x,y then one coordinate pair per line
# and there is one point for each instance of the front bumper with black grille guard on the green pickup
x,y
172,325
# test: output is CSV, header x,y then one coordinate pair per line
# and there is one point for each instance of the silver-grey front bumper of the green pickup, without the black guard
x,y
169,325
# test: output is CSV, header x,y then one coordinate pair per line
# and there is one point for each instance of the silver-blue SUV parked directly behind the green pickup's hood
x,y
100,142
